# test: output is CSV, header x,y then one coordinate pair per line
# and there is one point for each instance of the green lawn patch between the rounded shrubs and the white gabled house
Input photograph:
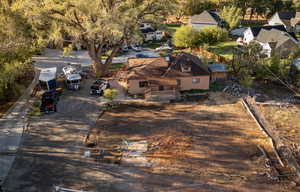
x,y
224,49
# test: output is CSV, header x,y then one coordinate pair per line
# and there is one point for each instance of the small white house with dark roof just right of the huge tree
x,y
150,34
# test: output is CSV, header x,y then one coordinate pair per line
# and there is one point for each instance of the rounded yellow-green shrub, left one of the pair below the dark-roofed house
x,y
186,37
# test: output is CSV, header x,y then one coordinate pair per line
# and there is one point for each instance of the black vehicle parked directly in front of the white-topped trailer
x,y
49,102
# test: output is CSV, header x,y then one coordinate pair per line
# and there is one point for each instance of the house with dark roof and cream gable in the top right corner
x,y
290,20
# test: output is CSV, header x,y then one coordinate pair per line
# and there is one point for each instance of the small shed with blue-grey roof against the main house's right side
x,y
218,71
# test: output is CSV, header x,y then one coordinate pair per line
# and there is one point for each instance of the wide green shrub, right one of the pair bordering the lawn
x,y
212,35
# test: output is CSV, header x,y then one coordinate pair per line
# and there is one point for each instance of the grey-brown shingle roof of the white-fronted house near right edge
x,y
274,35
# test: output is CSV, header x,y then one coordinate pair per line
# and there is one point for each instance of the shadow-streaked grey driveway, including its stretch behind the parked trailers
x,y
53,142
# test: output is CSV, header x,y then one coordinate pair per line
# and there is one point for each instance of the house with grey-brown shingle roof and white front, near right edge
x,y
275,42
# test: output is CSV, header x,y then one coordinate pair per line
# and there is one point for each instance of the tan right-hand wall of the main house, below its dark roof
x,y
187,84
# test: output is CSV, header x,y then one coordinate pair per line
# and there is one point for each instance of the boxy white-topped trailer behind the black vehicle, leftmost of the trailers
x,y
47,78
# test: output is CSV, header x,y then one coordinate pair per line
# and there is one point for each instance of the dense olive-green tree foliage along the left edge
x,y
15,49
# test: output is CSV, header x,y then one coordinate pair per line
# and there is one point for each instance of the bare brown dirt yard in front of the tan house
x,y
213,144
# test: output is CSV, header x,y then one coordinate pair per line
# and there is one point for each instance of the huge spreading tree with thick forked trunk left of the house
x,y
102,26
